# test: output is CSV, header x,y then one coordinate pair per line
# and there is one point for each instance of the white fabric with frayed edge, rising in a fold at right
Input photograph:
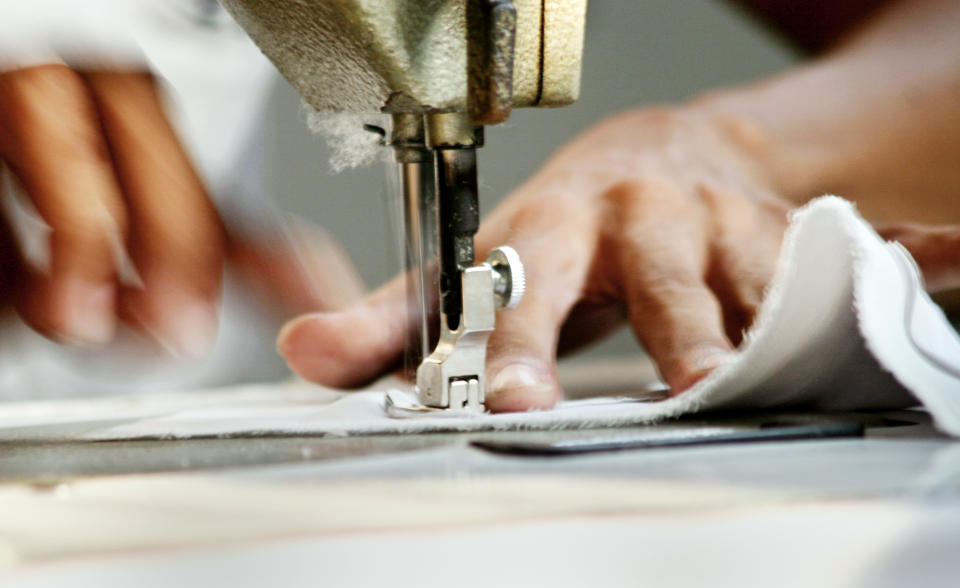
x,y
845,324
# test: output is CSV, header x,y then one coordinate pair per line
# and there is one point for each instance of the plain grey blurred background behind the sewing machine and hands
x,y
637,52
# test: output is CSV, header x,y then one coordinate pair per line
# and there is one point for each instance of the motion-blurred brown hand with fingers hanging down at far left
x,y
103,168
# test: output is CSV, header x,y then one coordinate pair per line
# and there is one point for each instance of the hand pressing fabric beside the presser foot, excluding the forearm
x,y
663,218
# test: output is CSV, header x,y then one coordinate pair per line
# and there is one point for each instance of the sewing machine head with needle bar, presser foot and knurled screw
x,y
442,70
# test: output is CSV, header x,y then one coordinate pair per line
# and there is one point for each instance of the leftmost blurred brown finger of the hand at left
x,y
50,137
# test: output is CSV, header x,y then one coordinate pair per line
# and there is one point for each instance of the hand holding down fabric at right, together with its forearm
x,y
672,218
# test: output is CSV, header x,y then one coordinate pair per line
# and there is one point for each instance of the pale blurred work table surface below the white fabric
x,y
873,511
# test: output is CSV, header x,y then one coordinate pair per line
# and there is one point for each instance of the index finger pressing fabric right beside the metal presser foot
x,y
521,353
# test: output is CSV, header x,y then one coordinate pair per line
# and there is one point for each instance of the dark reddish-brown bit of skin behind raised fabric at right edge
x,y
936,250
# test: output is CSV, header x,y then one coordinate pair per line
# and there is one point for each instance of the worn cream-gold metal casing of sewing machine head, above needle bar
x,y
412,55
